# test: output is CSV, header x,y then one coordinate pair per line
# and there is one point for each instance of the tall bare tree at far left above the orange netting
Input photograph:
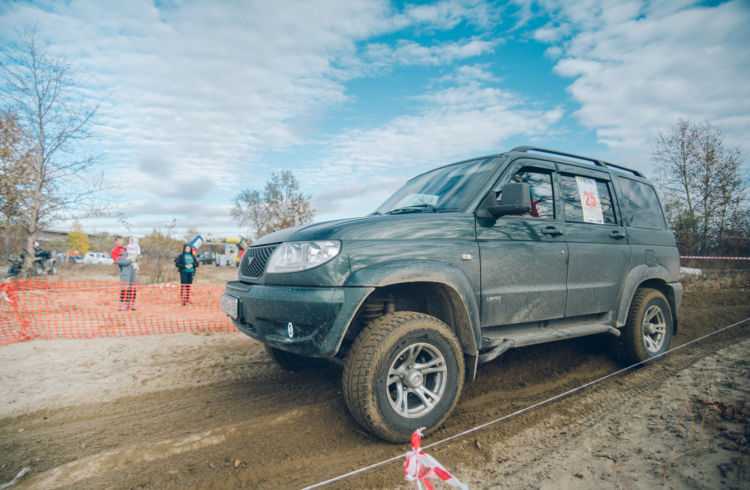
x,y
41,92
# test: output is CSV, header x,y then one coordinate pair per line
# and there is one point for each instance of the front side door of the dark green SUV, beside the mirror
x,y
524,257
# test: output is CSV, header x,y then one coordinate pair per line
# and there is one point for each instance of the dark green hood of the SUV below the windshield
x,y
396,227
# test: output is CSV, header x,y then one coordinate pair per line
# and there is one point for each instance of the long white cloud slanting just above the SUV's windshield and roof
x,y
455,123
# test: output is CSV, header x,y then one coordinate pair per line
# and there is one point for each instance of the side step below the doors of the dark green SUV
x,y
498,340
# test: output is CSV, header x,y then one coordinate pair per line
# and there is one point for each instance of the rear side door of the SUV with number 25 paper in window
x,y
598,247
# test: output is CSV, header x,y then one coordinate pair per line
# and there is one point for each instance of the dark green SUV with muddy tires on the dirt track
x,y
461,264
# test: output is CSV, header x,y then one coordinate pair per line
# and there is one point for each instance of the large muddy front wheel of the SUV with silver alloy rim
x,y
404,371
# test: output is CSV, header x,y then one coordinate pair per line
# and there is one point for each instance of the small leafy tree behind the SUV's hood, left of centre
x,y
281,205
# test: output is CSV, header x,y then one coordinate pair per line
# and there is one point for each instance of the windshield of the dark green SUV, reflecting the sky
x,y
441,190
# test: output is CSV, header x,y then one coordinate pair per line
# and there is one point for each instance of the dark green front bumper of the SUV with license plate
x,y
303,320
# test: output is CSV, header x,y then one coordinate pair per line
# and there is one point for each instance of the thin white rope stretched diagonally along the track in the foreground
x,y
524,410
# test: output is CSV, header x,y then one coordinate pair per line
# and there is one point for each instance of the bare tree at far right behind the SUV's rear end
x,y
702,184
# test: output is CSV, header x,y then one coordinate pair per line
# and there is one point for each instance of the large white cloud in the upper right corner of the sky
x,y
638,67
